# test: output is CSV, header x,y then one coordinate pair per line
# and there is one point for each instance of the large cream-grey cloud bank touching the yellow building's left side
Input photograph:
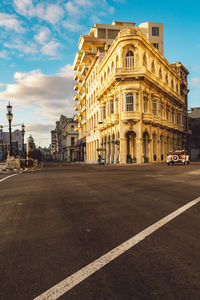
x,y
52,95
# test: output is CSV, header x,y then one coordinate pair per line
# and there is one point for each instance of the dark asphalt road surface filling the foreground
x,y
60,218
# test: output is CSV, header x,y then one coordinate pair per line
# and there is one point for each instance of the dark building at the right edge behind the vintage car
x,y
194,129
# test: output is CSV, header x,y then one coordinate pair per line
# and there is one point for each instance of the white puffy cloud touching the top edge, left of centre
x,y
49,12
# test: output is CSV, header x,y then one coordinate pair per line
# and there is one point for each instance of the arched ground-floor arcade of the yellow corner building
x,y
134,144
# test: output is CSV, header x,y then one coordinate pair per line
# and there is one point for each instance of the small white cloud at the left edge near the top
x,y
10,22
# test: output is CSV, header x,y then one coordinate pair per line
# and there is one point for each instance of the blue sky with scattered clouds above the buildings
x,y
39,42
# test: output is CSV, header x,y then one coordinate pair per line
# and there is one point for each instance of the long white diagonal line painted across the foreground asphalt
x,y
67,284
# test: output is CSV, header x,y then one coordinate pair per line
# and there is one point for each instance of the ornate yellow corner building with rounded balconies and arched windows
x,y
131,102
